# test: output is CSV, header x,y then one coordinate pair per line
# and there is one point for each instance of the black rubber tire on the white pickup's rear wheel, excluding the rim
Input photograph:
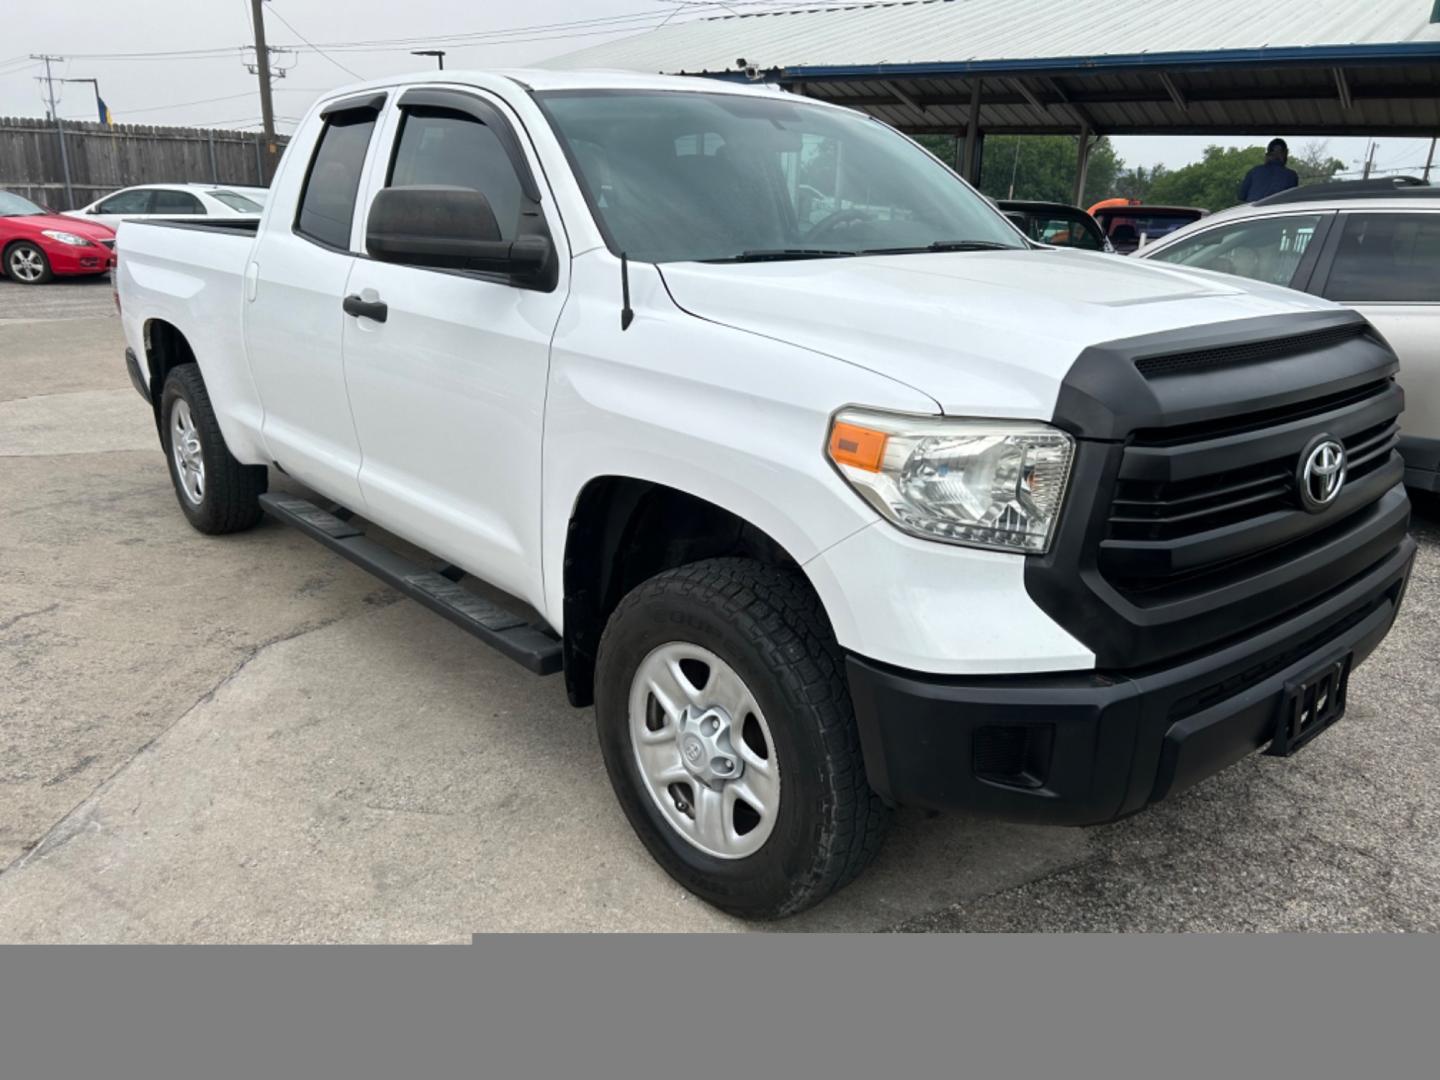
x,y
230,499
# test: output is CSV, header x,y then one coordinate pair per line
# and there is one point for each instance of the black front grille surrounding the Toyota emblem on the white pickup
x,y
1184,526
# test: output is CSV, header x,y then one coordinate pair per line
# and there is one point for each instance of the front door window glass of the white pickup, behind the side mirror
x,y
444,148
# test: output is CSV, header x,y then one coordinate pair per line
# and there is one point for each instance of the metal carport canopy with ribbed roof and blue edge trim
x,y
1050,67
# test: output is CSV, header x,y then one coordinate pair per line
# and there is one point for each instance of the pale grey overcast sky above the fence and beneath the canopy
x,y
215,90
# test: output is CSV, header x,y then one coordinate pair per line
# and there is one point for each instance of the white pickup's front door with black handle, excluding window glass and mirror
x,y
449,392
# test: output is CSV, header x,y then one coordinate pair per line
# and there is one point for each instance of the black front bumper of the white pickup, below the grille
x,y
1091,748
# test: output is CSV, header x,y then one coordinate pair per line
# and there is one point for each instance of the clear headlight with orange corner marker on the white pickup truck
x,y
977,483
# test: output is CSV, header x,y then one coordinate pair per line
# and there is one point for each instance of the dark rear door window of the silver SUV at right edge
x,y
1387,258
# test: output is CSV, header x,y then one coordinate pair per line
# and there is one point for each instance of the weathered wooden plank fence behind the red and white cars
x,y
103,159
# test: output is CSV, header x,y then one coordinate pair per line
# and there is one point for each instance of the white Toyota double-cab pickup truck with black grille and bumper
x,y
829,503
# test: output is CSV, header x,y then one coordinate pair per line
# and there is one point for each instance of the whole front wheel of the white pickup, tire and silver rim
x,y
731,741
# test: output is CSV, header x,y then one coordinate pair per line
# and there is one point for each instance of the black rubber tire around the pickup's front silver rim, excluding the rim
x,y
770,627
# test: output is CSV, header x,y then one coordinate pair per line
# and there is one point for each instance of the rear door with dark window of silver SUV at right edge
x,y
1387,266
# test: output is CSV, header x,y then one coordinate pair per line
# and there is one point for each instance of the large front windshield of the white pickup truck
x,y
683,176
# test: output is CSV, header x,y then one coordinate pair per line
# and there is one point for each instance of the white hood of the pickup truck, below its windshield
x,y
983,333
